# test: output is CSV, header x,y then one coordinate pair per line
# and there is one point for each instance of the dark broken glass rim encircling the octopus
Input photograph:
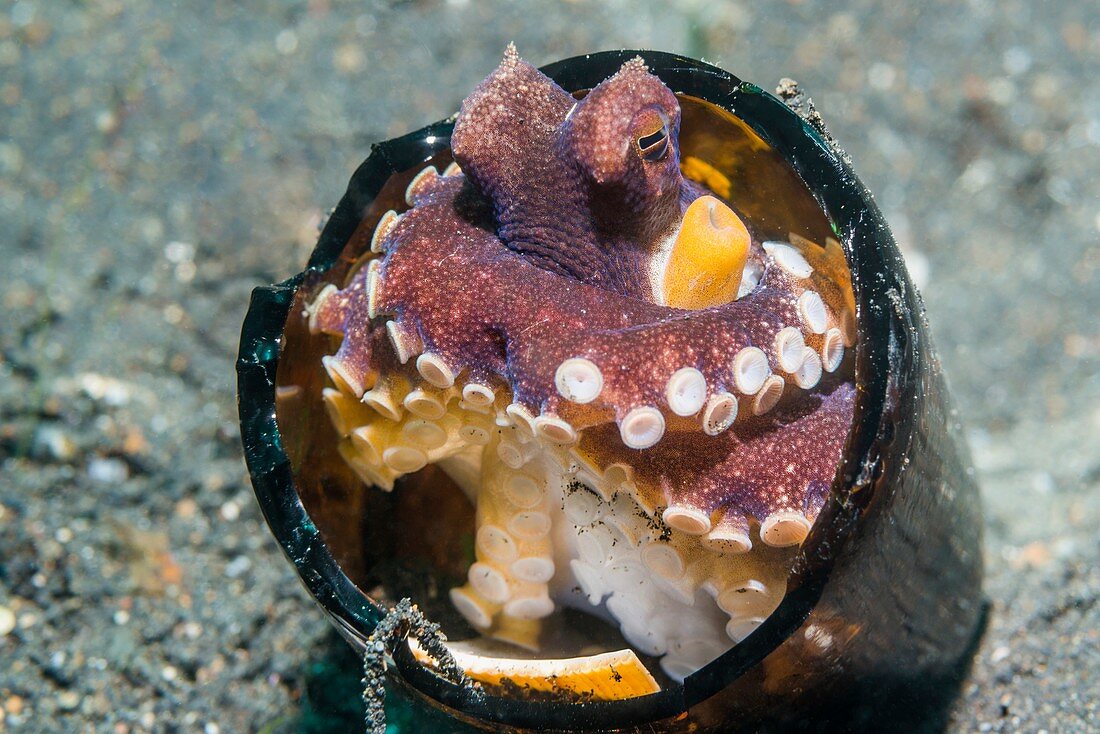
x,y
859,226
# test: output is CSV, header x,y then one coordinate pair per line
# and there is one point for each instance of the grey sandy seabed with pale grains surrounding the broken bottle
x,y
160,160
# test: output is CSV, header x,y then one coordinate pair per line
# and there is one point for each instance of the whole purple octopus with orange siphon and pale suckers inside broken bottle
x,y
645,402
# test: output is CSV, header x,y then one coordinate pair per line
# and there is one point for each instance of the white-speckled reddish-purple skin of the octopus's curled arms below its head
x,y
554,319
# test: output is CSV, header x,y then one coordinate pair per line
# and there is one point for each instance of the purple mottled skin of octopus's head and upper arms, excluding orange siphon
x,y
538,254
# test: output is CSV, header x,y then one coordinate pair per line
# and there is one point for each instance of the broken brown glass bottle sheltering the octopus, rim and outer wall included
x,y
885,600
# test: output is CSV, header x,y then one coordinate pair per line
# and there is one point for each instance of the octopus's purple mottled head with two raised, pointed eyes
x,y
567,183
